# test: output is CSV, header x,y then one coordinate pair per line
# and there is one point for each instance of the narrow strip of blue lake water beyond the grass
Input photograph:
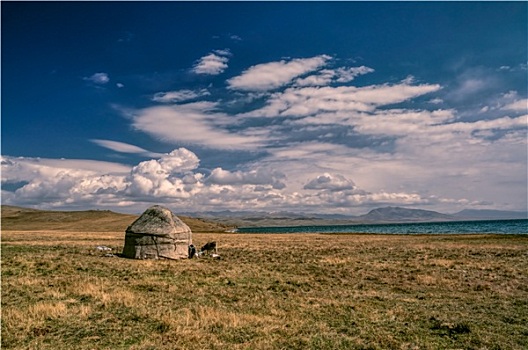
x,y
456,227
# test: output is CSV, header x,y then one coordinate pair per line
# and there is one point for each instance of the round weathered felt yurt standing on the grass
x,y
157,234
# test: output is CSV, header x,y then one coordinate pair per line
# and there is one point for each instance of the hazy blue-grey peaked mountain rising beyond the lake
x,y
397,214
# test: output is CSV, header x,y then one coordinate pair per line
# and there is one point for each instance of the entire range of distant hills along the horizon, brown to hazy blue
x,y
25,219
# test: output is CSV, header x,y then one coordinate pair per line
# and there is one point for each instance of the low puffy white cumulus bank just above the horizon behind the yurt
x,y
174,179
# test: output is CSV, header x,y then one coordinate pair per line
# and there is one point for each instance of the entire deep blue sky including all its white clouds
x,y
306,107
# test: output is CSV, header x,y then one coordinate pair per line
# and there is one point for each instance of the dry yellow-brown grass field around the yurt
x,y
267,292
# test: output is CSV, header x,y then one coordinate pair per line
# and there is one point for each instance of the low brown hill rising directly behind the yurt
x,y
25,219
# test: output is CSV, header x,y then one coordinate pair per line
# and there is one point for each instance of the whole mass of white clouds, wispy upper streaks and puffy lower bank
x,y
324,144
